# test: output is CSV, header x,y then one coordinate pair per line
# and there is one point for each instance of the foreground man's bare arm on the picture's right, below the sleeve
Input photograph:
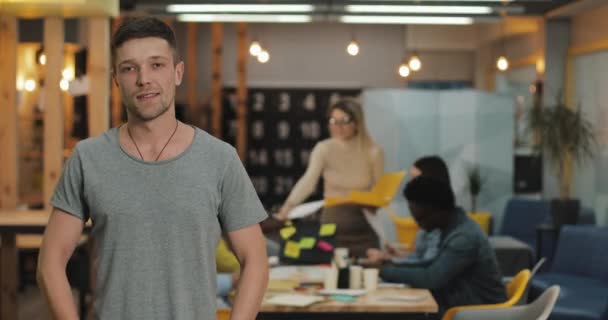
x,y
249,247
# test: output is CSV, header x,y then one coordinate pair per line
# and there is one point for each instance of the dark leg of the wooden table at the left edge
x,y
8,276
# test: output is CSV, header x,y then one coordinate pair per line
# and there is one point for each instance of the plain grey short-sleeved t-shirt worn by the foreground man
x,y
157,224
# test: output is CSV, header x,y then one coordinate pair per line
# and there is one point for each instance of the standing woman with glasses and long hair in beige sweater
x,y
349,160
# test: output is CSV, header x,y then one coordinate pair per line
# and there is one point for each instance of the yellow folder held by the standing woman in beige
x,y
380,196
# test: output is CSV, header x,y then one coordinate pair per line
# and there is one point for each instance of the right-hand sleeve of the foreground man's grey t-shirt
x,y
240,206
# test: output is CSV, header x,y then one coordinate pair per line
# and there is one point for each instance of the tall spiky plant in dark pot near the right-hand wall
x,y
565,138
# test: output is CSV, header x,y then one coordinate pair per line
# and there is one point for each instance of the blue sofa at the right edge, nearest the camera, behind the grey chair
x,y
580,268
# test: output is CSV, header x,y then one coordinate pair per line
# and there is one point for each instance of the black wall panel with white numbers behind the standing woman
x,y
283,126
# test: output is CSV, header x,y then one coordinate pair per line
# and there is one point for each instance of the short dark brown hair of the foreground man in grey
x,y
143,27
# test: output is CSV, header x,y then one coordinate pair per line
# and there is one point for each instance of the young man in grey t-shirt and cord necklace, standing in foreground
x,y
159,194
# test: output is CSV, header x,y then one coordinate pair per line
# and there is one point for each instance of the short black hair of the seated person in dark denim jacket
x,y
430,192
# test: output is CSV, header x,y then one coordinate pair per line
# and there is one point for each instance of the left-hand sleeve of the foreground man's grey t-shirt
x,y
69,192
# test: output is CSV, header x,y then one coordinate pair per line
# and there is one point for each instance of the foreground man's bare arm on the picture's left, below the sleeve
x,y
60,239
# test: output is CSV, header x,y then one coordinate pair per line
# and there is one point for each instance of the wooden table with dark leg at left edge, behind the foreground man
x,y
13,223
